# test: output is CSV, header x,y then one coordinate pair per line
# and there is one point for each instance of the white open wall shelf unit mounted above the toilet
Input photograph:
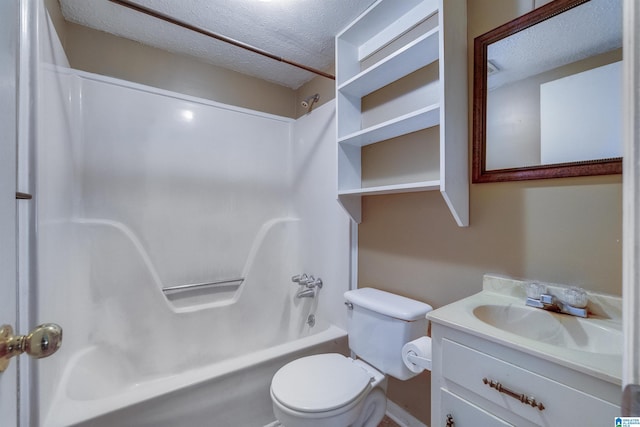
x,y
387,43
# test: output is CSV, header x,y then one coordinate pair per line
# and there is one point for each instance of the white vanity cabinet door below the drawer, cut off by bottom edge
x,y
457,412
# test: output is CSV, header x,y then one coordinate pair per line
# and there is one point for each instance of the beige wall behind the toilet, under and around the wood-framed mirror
x,y
564,230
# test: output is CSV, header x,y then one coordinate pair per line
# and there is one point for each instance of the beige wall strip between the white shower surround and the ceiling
x,y
102,53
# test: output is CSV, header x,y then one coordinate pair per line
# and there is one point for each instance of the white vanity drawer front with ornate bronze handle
x,y
469,368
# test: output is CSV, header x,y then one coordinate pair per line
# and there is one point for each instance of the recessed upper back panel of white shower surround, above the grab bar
x,y
194,183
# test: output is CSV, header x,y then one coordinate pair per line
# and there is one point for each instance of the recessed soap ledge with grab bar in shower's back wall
x,y
195,296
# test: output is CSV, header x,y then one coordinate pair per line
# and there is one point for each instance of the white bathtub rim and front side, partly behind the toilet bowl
x,y
233,393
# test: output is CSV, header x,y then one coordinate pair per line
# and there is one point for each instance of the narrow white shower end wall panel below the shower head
x,y
325,228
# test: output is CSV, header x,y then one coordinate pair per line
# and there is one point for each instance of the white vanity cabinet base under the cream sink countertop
x,y
468,372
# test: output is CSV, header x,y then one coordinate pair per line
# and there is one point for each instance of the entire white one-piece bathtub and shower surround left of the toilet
x,y
142,193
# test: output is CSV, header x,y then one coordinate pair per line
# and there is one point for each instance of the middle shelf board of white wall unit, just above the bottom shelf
x,y
416,120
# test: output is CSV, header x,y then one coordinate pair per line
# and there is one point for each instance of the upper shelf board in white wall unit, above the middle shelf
x,y
415,55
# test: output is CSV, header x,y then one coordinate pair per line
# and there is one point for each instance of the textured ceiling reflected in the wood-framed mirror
x,y
592,28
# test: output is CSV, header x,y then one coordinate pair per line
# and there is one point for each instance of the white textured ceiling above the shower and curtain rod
x,y
298,30
